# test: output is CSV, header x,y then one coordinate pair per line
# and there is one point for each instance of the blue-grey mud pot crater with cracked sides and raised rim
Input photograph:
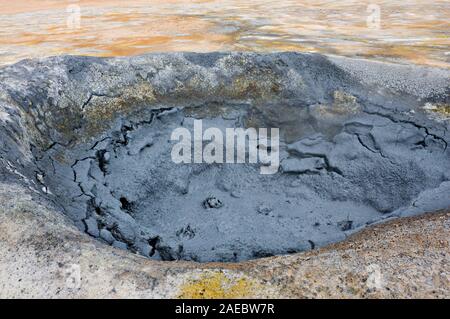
x,y
360,142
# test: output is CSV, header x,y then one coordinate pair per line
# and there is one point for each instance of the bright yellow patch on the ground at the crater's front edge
x,y
217,285
